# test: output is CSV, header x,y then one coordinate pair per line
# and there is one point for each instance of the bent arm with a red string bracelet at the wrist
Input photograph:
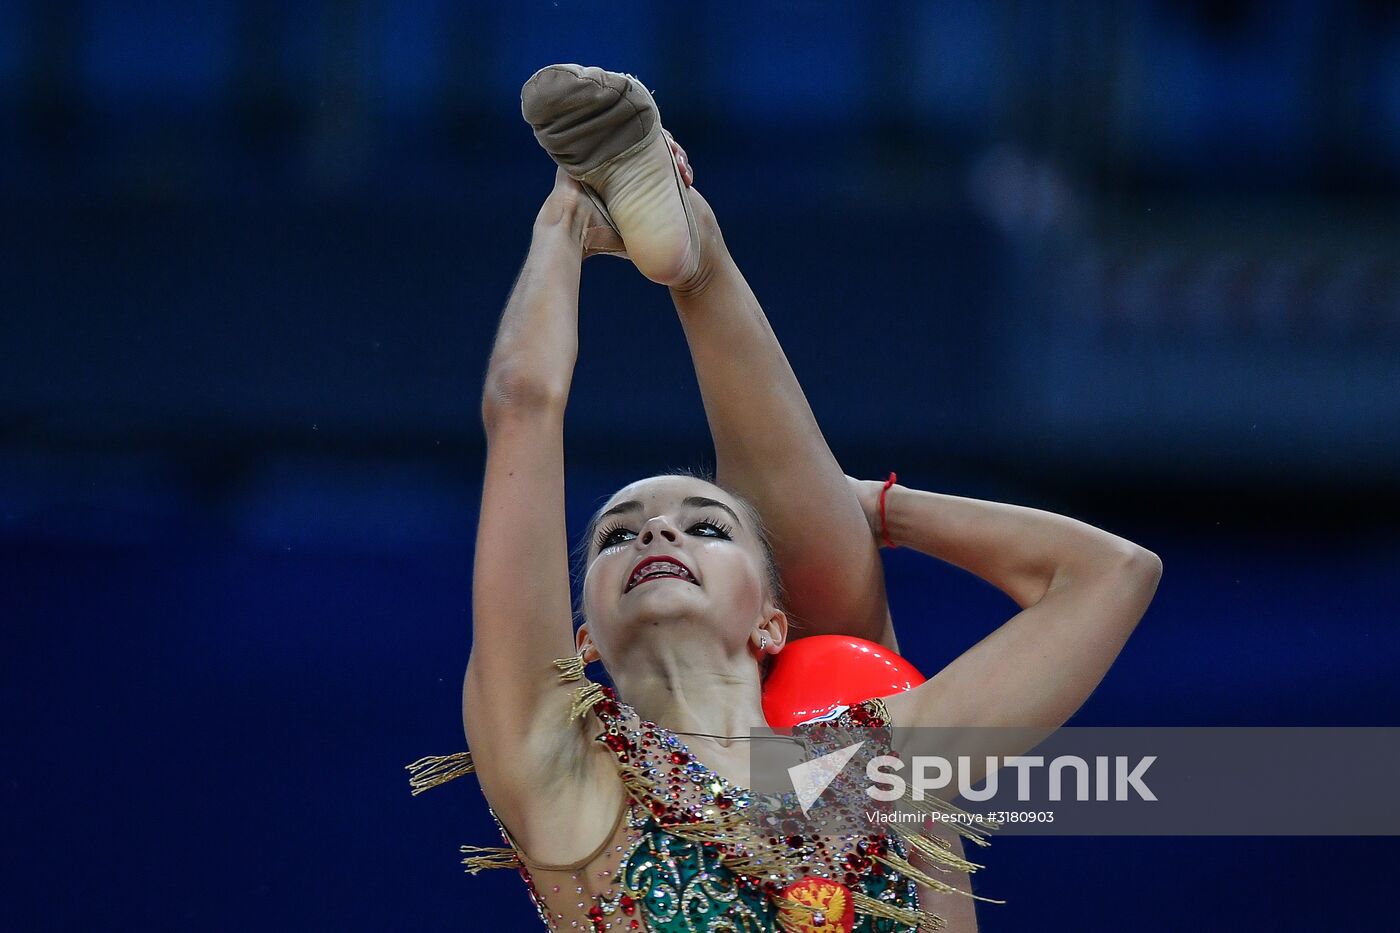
x,y
1083,590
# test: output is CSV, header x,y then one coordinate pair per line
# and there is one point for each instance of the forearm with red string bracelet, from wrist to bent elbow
x,y
1018,550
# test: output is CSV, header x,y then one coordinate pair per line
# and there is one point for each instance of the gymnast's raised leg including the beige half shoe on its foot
x,y
604,130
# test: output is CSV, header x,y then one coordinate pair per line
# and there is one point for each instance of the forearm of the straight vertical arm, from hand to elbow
x,y
537,343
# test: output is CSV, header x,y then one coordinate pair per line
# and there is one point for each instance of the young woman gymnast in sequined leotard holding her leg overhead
x,y
626,810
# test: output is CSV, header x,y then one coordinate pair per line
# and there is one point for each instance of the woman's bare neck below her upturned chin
x,y
689,691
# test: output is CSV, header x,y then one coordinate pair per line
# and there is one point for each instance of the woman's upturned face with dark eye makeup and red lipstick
x,y
680,554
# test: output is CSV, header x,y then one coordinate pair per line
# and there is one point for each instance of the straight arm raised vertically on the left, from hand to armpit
x,y
514,707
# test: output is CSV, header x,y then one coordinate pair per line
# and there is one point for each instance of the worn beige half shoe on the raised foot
x,y
604,130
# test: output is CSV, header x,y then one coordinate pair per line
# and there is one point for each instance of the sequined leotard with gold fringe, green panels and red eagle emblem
x,y
685,854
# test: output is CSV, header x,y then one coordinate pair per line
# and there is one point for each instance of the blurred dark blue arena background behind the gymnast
x,y
1130,263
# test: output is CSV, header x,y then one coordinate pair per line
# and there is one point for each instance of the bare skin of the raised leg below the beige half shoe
x,y
771,450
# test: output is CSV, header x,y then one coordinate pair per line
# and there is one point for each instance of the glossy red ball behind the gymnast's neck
x,y
817,675
